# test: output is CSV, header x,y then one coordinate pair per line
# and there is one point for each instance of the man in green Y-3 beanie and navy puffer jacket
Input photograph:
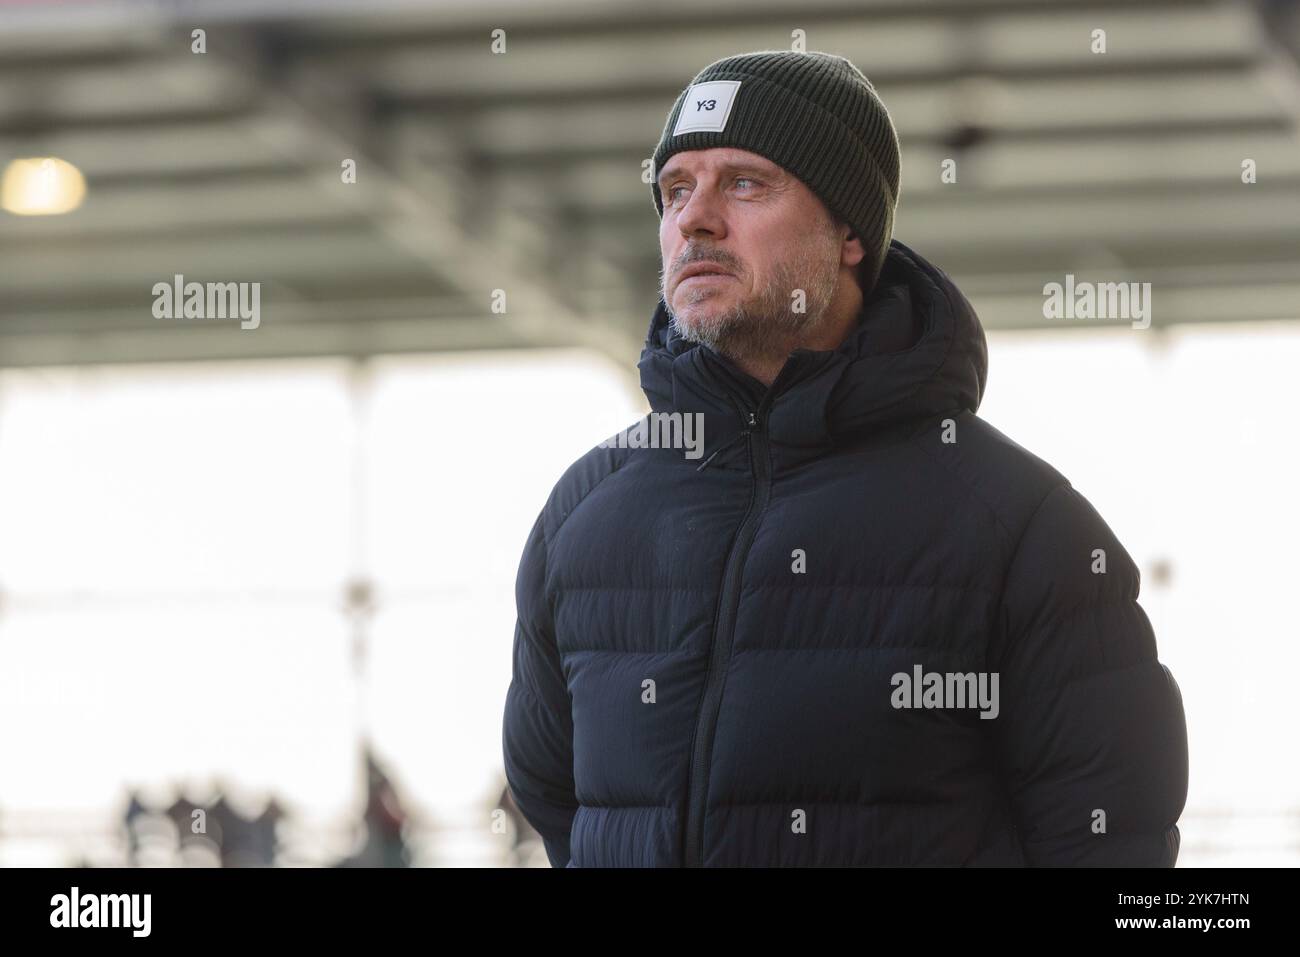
x,y
866,627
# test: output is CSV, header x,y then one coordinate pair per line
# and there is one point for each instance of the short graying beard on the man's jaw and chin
x,y
766,327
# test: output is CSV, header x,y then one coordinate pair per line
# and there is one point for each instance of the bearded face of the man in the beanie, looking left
x,y
766,236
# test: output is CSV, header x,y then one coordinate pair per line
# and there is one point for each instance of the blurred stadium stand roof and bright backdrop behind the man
x,y
257,584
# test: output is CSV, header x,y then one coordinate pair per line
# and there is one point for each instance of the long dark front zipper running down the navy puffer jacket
x,y
729,609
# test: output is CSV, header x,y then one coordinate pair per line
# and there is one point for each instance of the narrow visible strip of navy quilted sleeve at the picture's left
x,y
538,730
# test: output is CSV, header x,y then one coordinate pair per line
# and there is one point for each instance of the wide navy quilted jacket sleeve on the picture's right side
x,y
1091,734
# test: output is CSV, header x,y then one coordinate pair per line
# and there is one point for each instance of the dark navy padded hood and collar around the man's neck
x,y
918,350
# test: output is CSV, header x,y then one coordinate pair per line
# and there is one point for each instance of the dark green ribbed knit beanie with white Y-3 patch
x,y
814,115
